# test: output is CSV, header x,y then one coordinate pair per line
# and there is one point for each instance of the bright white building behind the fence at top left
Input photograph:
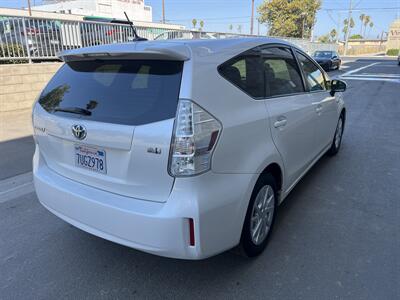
x,y
136,9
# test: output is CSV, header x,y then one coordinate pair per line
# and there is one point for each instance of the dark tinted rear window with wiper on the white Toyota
x,y
129,92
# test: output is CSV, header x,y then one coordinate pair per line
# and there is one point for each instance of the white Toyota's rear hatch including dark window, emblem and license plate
x,y
108,123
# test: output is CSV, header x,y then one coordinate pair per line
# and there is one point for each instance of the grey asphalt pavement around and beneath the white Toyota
x,y
337,235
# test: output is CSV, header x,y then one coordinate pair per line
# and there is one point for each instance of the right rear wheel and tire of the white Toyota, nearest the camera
x,y
263,200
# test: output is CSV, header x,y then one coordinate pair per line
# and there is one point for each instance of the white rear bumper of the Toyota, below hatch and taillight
x,y
216,202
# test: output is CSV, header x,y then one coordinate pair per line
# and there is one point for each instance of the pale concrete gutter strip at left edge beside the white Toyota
x,y
15,187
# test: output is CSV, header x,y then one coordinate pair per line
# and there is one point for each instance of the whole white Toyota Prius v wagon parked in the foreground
x,y
182,148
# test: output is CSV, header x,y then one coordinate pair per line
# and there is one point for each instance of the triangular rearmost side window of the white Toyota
x,y
246,73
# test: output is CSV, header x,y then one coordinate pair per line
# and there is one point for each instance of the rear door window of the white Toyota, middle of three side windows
x,y
282,76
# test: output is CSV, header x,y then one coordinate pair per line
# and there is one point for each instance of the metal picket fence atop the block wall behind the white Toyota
x,y
26,39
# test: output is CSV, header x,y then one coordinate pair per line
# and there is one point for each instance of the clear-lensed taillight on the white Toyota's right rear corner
x,y
195,135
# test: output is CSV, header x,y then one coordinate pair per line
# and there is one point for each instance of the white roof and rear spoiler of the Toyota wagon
x,y
173,49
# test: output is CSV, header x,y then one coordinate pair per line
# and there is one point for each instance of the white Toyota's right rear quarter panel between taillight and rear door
x,y
245,144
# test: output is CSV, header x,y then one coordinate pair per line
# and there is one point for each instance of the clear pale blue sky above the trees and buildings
x,y
219,14
